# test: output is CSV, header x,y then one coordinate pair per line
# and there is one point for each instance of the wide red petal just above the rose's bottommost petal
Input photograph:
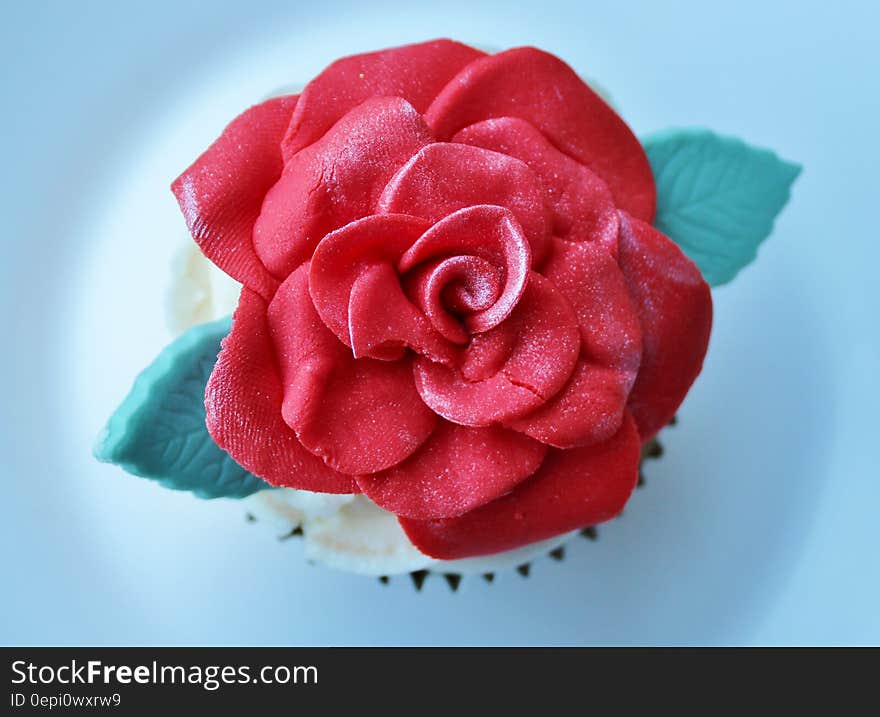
x,y
456,470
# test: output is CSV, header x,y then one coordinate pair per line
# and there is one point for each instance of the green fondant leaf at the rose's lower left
x,y
159,430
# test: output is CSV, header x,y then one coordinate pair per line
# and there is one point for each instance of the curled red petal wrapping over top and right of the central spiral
x,y
490,232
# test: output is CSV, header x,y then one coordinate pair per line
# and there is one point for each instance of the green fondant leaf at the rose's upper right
x,y
717,197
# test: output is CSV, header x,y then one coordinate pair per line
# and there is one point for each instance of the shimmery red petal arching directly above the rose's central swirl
x,y
443,178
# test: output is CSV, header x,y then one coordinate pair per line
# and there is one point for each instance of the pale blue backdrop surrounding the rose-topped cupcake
x,y
761,525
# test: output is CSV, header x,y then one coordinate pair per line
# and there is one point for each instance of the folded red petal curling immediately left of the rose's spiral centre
x,y
377,320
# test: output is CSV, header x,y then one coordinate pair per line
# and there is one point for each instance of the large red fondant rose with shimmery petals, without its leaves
x,y
453,301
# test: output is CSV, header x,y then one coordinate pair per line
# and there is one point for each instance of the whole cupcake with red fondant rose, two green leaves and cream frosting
x,y
464,300
